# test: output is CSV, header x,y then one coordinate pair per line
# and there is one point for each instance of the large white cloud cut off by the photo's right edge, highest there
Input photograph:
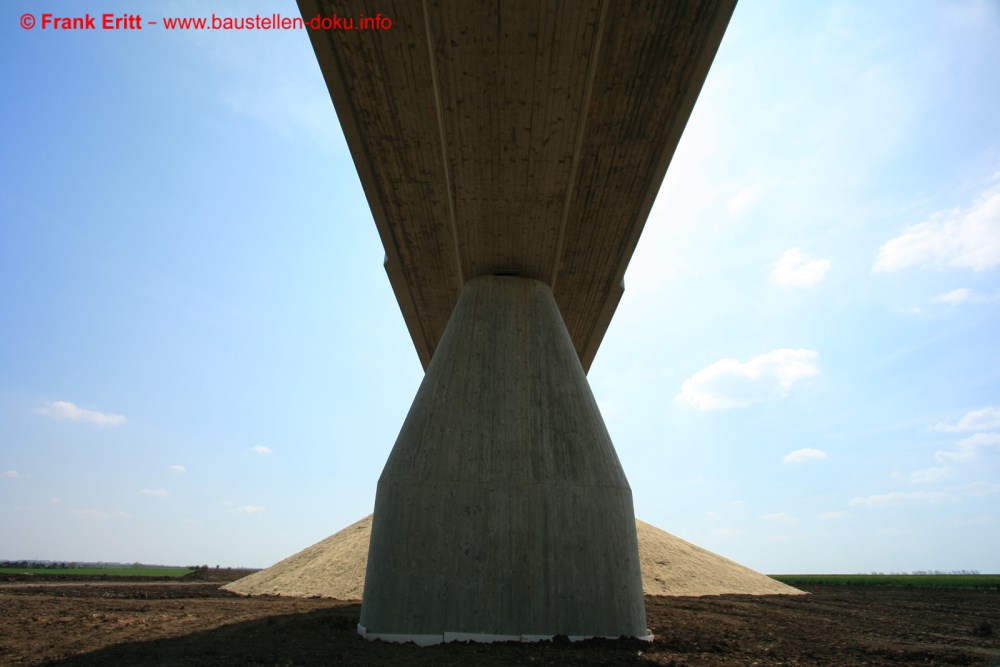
x,y
960,238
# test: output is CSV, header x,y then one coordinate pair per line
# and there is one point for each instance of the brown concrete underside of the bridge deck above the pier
x,y
527,138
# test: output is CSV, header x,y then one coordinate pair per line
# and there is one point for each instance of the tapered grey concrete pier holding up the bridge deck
x,y
503,511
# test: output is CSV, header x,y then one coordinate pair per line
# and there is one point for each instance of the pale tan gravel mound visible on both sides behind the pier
x,y
335,568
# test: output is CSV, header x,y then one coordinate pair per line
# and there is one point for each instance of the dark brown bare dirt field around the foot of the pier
x,y
194,623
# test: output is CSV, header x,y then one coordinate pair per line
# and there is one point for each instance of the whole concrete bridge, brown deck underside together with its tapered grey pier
x,y
510,152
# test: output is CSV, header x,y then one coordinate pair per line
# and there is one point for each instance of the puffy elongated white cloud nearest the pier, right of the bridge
x,y
730,383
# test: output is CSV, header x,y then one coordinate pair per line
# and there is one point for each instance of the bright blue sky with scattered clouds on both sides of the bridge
x,y
201,359
